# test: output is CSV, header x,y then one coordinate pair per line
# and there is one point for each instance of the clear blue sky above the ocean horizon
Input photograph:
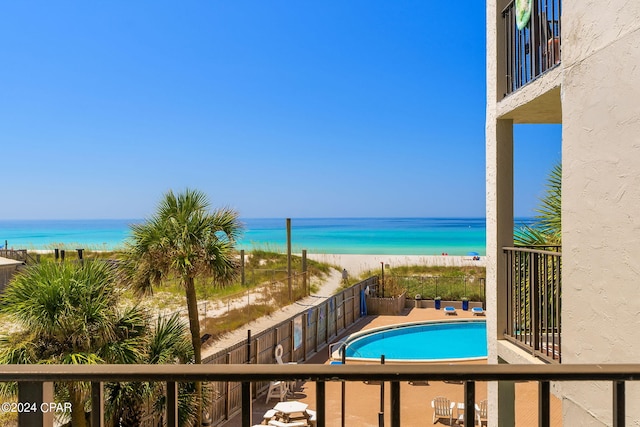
x,y
276,108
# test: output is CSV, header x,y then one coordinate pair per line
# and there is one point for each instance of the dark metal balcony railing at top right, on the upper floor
x,y
536,47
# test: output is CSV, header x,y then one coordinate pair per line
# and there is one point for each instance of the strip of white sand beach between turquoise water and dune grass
x,y
356,264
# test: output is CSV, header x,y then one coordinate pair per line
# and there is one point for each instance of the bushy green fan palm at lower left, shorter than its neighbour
x,y
69,314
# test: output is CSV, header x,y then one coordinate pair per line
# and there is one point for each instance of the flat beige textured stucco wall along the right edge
x,y
601,199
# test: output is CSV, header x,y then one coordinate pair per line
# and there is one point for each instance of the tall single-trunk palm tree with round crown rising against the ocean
x,y
183,239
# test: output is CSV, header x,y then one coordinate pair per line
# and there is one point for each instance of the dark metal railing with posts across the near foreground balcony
x,y
35,380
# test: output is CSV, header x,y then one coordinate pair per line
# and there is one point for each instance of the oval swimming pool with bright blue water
x,y
433,341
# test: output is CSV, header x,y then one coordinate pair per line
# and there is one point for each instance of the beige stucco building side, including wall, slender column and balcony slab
x,y
599,88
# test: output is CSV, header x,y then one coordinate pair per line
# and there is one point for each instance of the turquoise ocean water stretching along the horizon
x,y
394,236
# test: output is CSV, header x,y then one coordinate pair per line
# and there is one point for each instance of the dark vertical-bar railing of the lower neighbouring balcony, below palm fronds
x,y
533,300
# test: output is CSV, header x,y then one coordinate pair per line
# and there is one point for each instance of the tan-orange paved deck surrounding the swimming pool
x,y
363,400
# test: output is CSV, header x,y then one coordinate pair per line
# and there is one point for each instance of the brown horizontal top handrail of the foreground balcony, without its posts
x,y
317,372
